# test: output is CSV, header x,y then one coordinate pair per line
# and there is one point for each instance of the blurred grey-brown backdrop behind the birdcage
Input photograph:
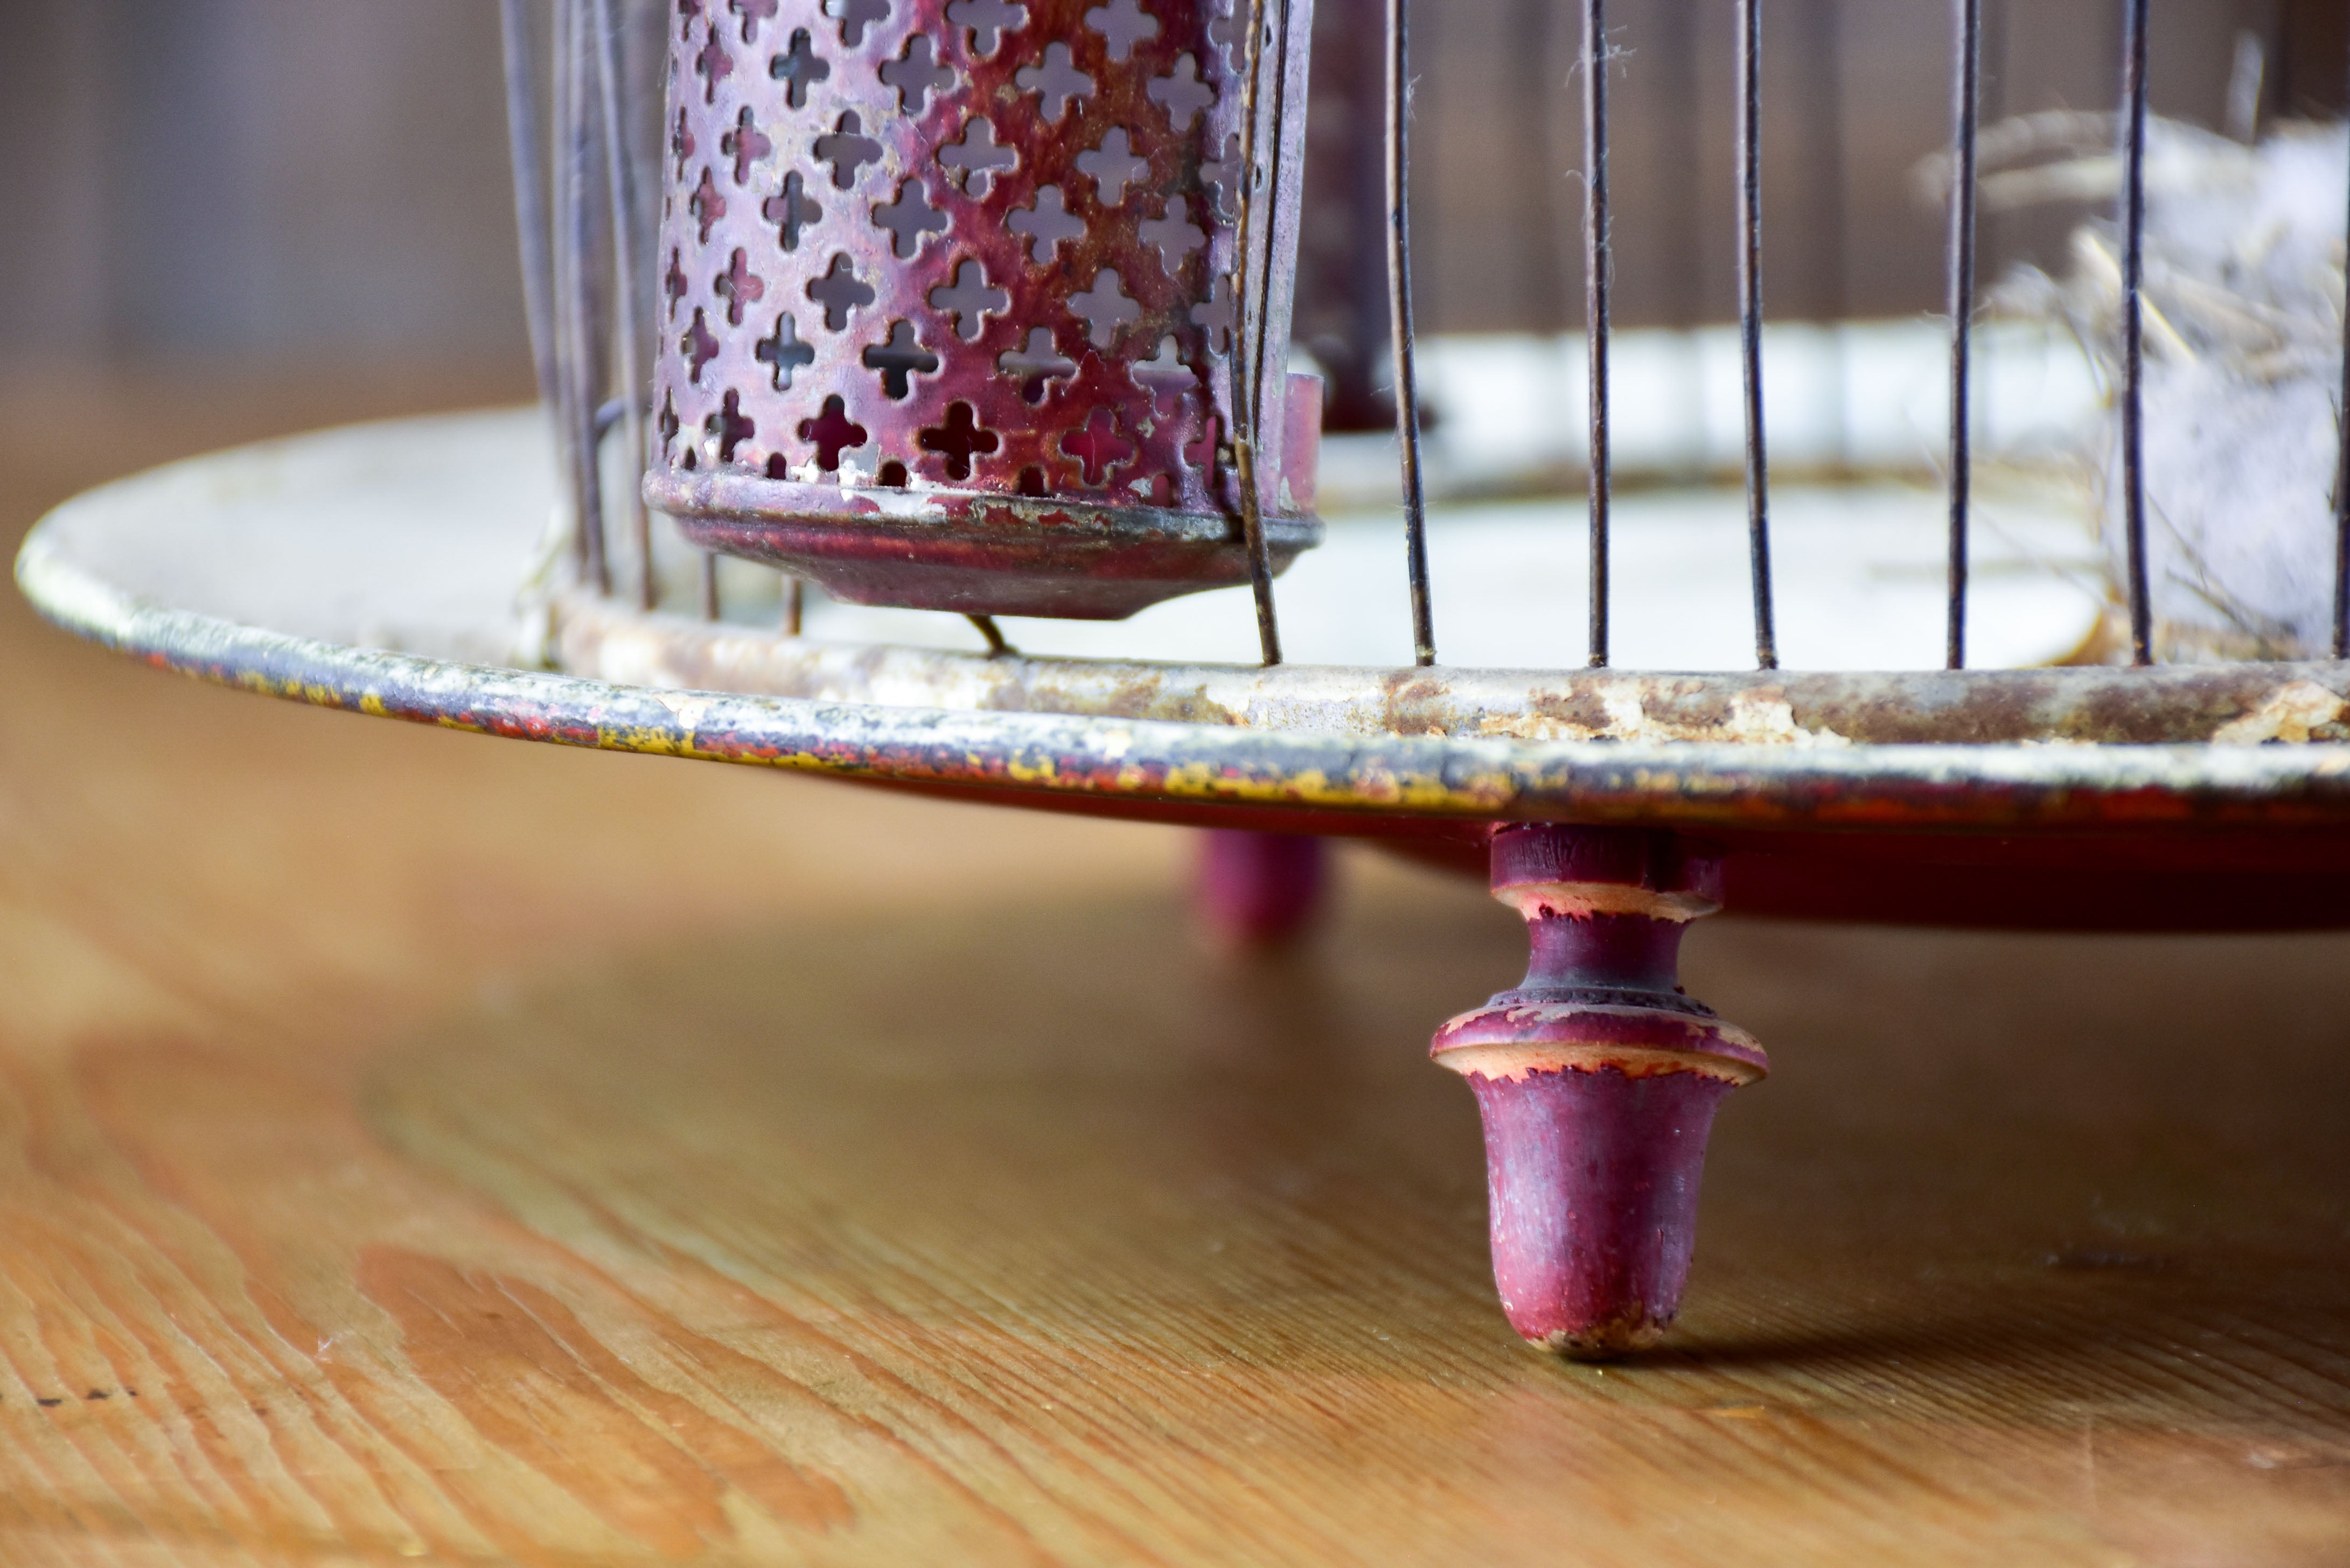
x,y
302,182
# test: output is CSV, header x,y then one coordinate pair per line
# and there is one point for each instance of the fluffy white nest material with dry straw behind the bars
x,y
2243,363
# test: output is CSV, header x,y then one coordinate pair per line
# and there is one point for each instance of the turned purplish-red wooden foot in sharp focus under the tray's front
x,y
1597,1080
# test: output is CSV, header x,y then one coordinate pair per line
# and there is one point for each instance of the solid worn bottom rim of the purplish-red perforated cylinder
x,y
974,554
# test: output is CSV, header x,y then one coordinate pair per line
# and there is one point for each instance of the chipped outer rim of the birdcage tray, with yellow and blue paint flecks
x,y
1381,782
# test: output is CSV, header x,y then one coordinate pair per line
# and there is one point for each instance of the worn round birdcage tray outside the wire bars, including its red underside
x,y
377,568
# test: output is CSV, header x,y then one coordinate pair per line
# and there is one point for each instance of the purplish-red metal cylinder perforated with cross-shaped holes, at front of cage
x,y
948,297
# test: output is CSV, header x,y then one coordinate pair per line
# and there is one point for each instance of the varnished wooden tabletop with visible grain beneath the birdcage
x,y
431,1148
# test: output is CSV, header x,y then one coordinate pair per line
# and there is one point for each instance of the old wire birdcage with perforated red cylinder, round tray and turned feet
x,y
983,309
